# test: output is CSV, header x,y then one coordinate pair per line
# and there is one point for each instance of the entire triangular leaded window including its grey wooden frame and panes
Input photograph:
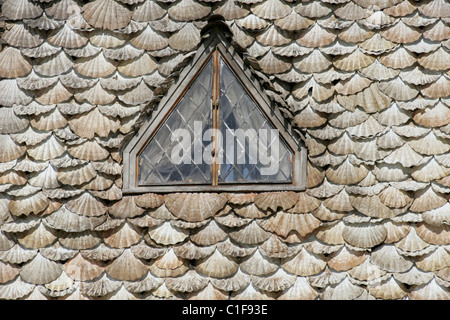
x,y
214,130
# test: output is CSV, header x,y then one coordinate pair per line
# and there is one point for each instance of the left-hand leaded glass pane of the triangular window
x,y
174,153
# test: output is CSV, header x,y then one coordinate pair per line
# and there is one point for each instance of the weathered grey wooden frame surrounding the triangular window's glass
x,y
215,43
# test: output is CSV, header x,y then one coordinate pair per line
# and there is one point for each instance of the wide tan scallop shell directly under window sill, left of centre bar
x,y
195,207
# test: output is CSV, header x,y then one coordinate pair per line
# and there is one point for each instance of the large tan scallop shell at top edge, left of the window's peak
x,y
106,14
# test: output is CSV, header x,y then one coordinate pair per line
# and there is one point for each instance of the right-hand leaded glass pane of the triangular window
x,y
253,150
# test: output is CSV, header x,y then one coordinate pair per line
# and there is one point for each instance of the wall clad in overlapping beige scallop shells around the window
x,y
367,83
